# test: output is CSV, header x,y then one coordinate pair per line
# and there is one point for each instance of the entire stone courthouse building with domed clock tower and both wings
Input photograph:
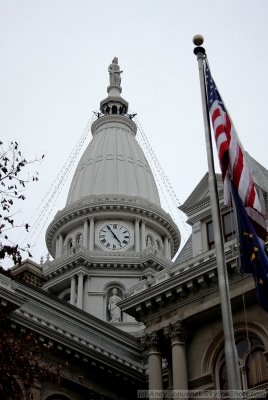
x,y
111,306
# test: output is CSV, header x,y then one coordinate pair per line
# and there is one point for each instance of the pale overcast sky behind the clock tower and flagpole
x,y
53,74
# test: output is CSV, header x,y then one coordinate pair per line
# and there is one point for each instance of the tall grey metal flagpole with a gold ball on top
x,y
231,358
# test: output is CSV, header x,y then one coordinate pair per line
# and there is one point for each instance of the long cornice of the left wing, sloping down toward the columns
x,y
74,329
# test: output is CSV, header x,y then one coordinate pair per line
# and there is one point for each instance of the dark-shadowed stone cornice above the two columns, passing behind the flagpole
x,y
182,288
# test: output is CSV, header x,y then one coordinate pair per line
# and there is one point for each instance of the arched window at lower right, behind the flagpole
x,y
253,366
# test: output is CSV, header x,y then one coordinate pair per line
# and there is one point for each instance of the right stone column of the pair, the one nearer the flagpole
x,y
176,334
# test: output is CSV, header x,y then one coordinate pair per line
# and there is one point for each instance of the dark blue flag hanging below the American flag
x,y
253,255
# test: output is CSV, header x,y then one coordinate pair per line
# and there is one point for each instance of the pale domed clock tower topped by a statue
x,y
112,233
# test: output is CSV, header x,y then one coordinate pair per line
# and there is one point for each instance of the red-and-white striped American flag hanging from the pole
x,y
232,158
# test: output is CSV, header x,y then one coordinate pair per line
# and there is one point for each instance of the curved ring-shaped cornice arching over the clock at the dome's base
x,y
97,206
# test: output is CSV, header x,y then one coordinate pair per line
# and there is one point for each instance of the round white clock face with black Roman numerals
x,y
114,236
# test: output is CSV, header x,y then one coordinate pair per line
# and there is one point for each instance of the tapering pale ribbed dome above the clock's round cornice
x,y
113,163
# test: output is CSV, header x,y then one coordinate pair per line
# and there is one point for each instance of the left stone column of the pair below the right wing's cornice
x,y
155,365
